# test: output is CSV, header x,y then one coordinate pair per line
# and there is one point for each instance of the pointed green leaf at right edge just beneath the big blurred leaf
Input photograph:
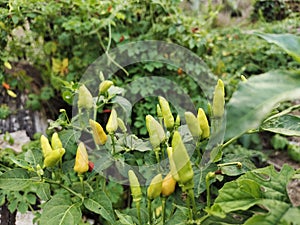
x,y
288,125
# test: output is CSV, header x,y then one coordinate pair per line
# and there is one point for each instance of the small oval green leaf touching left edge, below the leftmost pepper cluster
x,y
15,180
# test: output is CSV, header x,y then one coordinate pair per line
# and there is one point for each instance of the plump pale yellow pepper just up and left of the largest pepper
x,y
156,132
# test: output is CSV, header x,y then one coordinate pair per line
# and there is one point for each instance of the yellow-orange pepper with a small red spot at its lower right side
x,y
81,160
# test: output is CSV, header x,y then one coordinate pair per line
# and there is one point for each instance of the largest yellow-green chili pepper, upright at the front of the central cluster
x,y
182,163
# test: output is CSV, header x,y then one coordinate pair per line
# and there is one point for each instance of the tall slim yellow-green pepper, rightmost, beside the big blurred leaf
x,y
219,99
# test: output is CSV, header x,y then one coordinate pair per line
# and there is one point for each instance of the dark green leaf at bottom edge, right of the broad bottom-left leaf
x,y
99,203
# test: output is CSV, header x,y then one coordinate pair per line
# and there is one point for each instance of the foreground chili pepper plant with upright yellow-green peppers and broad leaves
x,y
183,173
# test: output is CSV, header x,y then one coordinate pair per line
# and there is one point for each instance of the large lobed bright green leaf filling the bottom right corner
x,y
265,188
